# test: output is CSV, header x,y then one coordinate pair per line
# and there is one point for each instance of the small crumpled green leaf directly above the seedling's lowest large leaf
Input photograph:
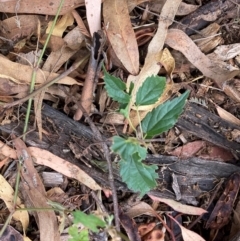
x,y
126,147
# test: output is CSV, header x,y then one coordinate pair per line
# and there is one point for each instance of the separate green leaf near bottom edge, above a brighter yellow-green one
x,y
90,221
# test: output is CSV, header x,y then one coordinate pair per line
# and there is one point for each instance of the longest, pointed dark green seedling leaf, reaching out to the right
x,y
163,117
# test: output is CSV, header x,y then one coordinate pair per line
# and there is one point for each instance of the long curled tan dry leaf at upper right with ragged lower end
x,y
219,71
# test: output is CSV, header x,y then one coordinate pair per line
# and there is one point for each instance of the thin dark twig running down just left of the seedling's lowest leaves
x,y
107,156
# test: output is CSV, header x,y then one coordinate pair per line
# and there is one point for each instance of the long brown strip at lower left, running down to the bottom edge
x,y
34,193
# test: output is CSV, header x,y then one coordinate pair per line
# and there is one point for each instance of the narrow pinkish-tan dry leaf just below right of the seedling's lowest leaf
x,y
182,208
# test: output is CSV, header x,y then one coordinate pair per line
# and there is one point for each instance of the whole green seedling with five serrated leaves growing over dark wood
x,y
132,151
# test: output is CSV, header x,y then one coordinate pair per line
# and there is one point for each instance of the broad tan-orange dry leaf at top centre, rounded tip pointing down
x,y
120,33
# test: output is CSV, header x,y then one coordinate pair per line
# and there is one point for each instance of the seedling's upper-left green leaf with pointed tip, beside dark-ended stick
x,y
116,88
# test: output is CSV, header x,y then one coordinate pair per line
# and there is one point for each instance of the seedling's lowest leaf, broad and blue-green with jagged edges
x,y
138,176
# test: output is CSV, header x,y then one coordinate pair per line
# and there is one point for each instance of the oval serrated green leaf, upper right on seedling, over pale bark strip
x,y
151,90
